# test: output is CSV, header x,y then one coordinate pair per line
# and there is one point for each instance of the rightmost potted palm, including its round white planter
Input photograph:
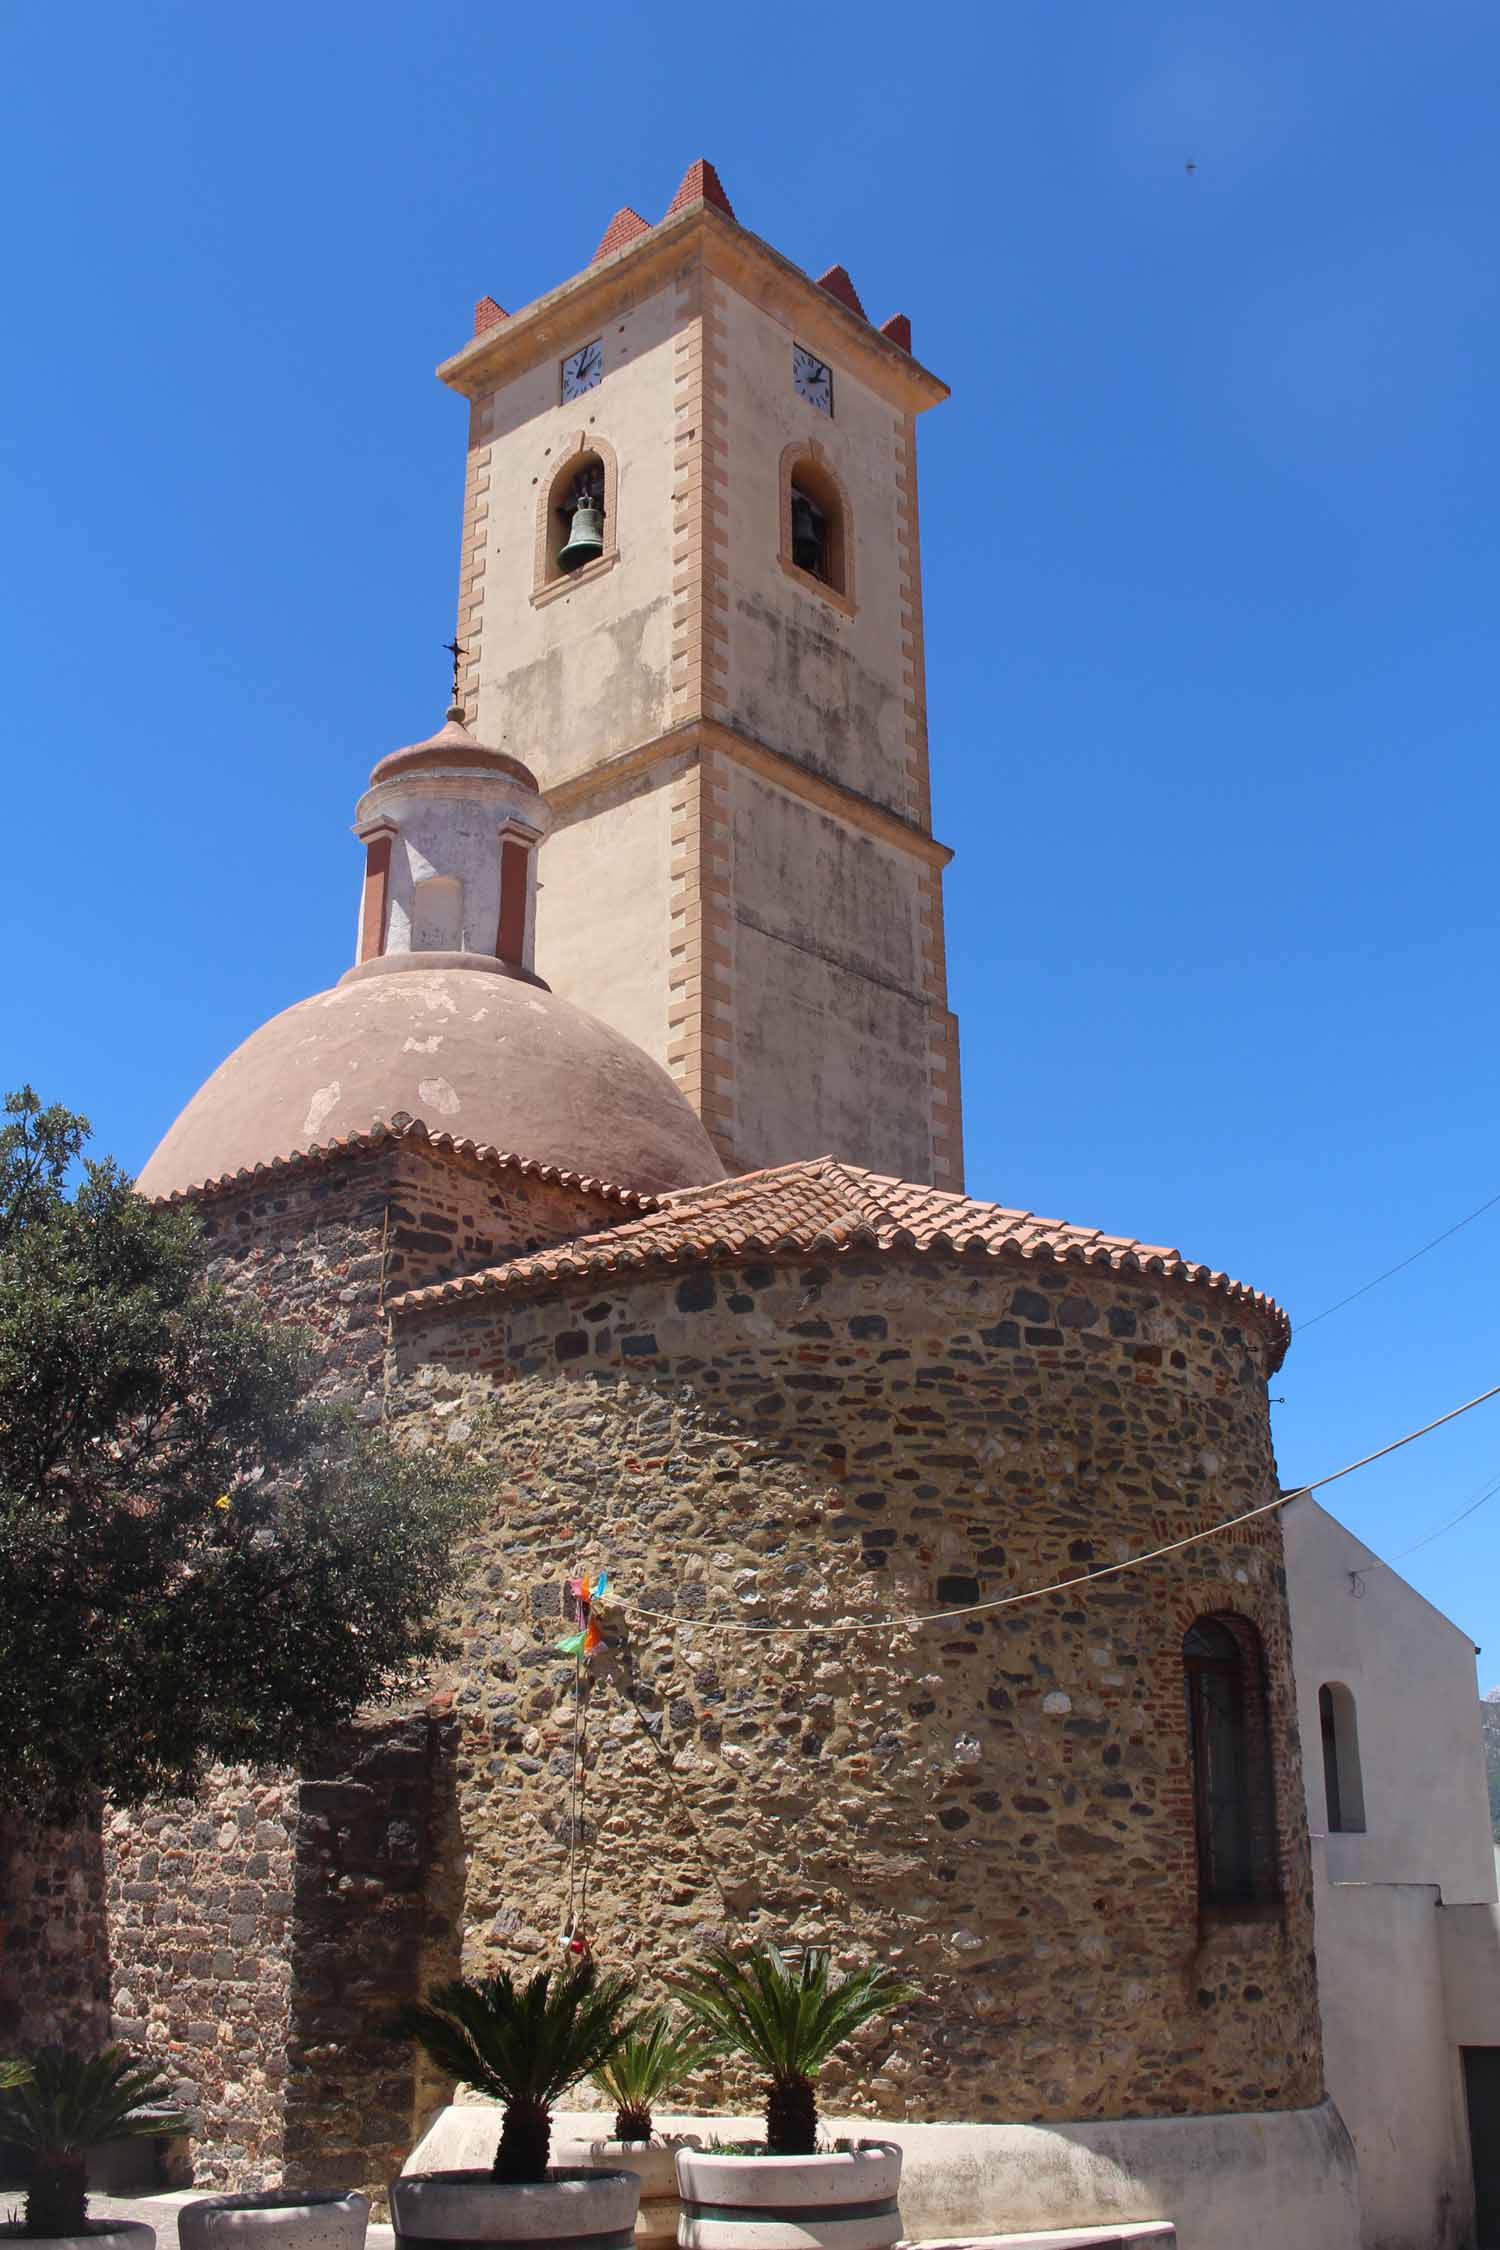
x,y
788,2022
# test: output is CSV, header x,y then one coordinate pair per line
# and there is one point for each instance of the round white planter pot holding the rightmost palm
x,y
840,2202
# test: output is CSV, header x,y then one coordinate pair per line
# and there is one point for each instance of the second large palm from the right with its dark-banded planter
x,y
525,2046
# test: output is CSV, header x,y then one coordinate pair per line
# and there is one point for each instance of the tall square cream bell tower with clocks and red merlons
x,y
692,604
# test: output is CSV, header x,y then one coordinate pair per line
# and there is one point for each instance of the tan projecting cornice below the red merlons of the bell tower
x,y
734,255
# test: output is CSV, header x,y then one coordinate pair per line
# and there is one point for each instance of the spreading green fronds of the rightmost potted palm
x,y
788,2022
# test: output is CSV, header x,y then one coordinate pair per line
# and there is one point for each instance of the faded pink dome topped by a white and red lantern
x,y
444,1016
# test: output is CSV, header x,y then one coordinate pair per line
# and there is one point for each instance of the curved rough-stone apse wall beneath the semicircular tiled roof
x,y
1000,1806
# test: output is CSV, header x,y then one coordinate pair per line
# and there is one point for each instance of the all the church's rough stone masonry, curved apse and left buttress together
x,y
1000,1806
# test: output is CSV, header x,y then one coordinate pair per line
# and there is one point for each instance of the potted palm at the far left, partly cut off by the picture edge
x,y
55,2109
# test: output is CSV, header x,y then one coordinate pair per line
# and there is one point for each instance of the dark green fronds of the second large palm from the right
x,y
523,2044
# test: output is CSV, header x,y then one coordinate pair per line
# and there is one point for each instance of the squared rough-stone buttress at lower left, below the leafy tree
x,y
260,1938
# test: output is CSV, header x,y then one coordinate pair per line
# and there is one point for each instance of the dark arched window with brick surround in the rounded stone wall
x,y
1229,1745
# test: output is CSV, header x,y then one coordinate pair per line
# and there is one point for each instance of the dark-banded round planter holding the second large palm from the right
x,y
568,2211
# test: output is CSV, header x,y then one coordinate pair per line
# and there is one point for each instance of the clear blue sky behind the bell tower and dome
x,y
1211,539
